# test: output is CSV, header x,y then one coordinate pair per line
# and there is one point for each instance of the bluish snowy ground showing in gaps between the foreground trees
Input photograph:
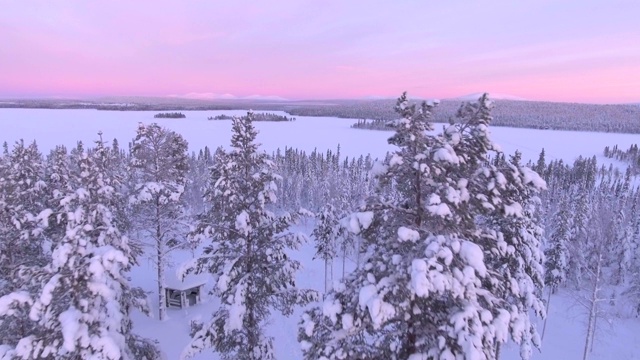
x,y
564,338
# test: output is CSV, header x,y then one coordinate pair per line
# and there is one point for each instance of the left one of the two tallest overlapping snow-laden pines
x,y
372,315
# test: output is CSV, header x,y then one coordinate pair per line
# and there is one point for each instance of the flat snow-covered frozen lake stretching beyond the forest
x,y
53,127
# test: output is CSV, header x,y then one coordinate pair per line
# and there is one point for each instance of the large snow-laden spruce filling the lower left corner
x,y
79,308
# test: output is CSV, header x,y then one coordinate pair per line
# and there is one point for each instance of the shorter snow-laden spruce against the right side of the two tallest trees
x,y
515,250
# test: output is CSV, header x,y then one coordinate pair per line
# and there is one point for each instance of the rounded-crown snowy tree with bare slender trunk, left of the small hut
x,y
160,164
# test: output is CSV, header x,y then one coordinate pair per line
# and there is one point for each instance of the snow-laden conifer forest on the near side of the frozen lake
x,y
459,247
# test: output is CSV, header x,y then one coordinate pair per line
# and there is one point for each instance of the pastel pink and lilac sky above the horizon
x,y
559,50
